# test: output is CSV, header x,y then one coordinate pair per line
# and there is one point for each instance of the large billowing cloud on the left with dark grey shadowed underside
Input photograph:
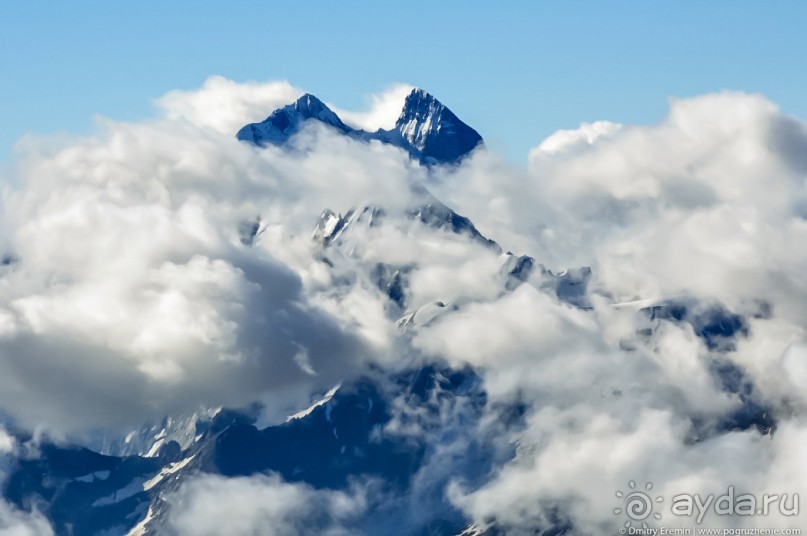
x,y
128,290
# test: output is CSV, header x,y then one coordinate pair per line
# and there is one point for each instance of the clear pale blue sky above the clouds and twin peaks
x,y
516,71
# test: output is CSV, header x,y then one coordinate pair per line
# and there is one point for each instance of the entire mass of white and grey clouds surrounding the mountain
x,y
162,266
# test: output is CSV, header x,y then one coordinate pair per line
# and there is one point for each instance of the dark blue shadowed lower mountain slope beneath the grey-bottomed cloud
x,y
343,438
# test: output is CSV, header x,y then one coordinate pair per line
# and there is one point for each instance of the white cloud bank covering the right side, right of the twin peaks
x,y
708,204
